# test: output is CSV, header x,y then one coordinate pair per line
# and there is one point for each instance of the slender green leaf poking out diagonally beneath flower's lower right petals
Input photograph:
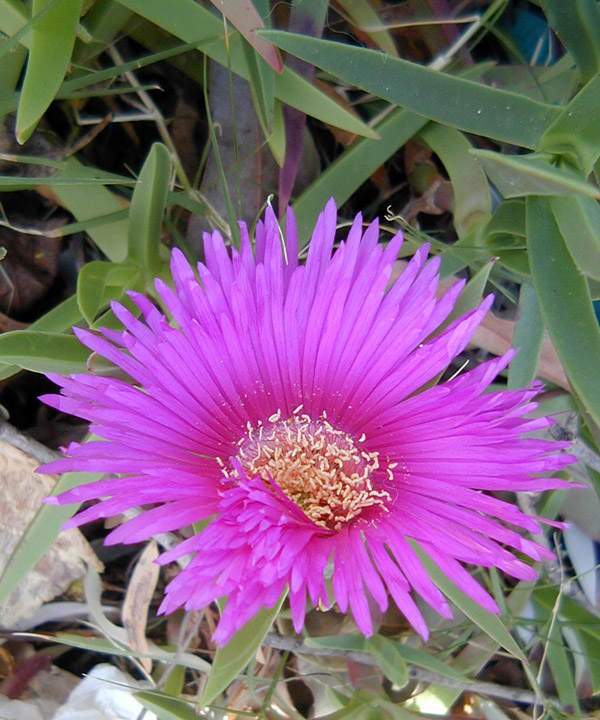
x,y
491,624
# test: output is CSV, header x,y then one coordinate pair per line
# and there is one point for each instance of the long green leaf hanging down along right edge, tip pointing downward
x,y
565,304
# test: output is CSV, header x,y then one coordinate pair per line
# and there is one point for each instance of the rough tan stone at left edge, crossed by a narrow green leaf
x,y
21,494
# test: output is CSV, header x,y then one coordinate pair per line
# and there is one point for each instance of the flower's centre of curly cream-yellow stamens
x,y
318,467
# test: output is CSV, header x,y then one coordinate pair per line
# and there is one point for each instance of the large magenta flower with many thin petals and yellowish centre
x,y
287,405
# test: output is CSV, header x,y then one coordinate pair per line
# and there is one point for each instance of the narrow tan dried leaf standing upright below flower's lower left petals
x,y
137,601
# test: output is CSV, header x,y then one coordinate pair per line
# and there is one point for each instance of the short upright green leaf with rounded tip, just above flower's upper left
x,y
147,210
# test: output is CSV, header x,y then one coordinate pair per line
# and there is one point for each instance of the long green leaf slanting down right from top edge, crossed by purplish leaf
x,y
189,21
